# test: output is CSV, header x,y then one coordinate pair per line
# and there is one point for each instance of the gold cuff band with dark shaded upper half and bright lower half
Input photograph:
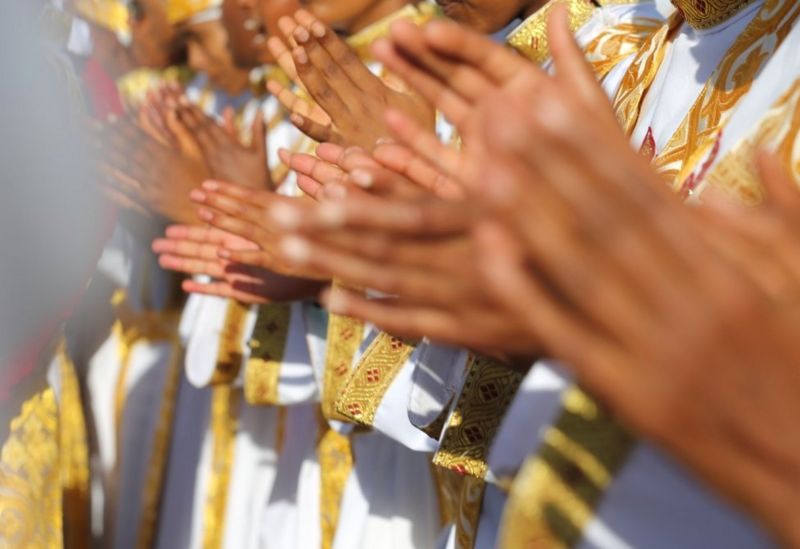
x,y
267,345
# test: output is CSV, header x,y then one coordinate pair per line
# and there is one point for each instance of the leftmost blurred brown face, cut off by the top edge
x,y
155,42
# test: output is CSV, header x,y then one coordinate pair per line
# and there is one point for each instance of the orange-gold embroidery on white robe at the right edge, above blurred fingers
x,y
736,174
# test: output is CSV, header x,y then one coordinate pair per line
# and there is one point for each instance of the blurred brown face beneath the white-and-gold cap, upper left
x,y
208,52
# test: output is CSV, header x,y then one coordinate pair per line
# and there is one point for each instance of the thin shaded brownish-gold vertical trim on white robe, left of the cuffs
x,y
162,439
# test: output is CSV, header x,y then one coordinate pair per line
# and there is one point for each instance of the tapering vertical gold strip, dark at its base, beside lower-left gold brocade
x,y
74,456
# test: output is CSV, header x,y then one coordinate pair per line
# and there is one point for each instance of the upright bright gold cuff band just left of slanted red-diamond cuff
x,y
344,337
